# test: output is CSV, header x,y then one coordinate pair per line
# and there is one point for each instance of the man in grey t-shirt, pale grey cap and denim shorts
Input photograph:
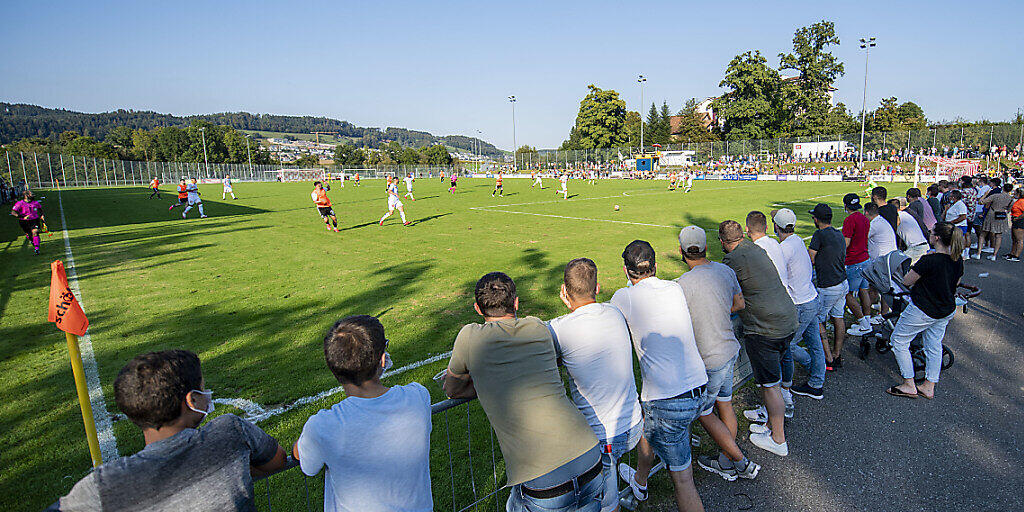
x,y
712,295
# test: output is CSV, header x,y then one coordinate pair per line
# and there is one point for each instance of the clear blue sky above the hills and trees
x,y
449,67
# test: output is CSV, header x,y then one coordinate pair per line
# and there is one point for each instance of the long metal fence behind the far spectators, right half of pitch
x,y
970,141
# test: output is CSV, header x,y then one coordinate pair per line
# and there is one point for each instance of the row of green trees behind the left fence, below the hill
x,y
167,144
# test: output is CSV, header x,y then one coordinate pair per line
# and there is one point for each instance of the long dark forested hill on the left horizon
x,y
20,121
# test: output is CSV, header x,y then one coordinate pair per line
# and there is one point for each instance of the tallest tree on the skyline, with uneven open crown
x,y
817,71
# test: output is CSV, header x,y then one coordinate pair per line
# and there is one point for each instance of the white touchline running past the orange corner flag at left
x,y
105,429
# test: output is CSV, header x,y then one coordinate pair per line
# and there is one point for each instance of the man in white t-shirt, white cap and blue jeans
x,y
805,296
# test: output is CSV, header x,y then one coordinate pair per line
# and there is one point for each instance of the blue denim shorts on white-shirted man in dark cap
x,y
667,429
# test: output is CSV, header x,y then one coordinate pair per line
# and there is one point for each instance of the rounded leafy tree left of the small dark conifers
x,y
601,122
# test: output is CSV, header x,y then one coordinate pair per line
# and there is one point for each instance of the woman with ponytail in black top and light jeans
x,y
933,284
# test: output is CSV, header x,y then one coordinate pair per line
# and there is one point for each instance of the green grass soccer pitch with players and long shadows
x,y
253,288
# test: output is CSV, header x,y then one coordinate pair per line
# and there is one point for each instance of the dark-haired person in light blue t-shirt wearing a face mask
x,y
376,443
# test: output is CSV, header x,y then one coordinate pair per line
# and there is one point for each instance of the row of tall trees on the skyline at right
x,y
758,104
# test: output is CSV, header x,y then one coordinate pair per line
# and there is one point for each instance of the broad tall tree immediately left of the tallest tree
x,y
752,107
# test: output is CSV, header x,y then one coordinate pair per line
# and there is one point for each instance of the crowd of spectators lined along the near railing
x,y
562,452
